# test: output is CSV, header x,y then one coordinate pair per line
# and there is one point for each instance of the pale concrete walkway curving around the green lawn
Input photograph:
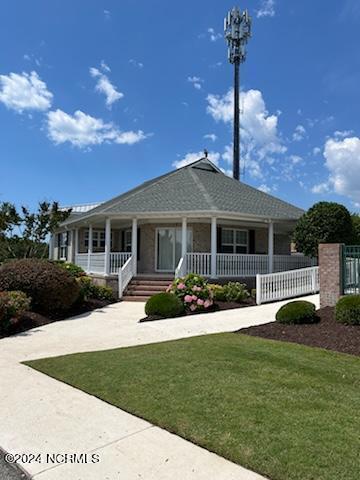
x,y
41,415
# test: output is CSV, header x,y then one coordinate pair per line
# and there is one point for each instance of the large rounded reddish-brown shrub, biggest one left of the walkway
x,y
50,288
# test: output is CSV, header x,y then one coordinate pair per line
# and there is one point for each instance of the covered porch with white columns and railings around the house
x,y
214,247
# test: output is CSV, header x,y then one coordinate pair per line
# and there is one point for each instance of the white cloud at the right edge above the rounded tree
x,y
342,158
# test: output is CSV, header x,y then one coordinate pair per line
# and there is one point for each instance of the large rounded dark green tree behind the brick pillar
x,y
324,222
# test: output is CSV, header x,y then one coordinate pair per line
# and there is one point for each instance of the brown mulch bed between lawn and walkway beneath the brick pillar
x,y
327,333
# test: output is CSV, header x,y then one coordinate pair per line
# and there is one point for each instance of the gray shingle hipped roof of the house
x,y
198,187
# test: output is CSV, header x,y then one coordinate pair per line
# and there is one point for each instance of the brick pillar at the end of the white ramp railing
x,y
330,264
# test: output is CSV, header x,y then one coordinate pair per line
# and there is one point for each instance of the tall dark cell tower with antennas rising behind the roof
x,y
237,31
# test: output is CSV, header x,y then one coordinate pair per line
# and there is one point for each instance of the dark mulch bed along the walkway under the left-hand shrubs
x,y
31,319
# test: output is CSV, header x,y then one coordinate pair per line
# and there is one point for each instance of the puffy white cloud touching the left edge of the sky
x,y
24,91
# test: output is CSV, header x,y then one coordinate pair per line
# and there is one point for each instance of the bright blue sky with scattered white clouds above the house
x,y
96,97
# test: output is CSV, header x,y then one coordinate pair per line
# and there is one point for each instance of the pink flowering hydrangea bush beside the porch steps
x,y
193,290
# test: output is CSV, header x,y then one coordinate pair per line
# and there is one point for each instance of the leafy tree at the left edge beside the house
x,y
24,235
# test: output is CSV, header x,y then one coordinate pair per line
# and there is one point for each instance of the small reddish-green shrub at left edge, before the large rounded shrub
x,y
13,304
